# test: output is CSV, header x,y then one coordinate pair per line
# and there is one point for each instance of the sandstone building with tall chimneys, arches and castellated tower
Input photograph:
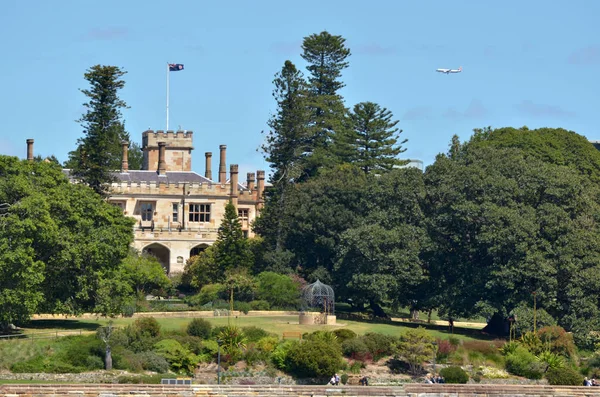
x,y
178,211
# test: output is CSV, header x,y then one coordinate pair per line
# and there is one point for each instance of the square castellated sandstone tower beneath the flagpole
x,y
177,150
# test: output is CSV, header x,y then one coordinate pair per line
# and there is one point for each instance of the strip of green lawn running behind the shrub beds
x,y
274,324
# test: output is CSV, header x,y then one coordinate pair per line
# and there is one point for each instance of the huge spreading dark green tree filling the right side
x,y
507,224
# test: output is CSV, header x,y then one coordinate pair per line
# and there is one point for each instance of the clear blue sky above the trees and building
x,y
531,63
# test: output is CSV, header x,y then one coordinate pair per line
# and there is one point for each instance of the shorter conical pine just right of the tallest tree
x,y
374,138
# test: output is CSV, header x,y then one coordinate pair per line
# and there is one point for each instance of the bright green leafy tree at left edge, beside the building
x,y
58,240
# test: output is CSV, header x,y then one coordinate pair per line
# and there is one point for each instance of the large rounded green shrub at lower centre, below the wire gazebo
x,y
313,358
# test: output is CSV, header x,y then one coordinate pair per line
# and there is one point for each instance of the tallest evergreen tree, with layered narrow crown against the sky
x,y
326,56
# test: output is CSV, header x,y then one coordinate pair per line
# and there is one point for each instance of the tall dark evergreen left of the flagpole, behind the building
x,y
99,151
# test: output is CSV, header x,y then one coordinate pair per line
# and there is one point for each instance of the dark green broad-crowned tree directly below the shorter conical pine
x,y
381,259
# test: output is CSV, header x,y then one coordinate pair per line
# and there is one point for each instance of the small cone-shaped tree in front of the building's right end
x,y
231,248
